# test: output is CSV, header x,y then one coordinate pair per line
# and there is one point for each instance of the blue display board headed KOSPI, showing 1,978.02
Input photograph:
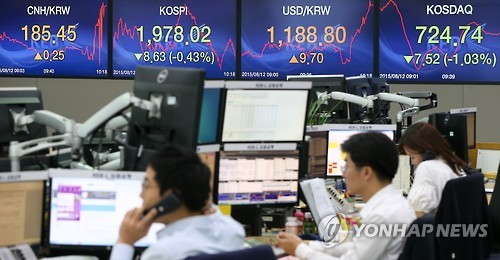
x,y
190,33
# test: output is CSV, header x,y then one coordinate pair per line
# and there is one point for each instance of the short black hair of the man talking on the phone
x,y
180,169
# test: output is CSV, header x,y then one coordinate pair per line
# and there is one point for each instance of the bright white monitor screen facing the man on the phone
x,y
92,205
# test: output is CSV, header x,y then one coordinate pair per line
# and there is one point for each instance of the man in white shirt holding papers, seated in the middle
x,y
370,165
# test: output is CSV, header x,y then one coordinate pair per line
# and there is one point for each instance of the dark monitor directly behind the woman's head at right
x,y
453,127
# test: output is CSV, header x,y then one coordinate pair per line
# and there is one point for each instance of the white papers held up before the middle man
x,y
317,198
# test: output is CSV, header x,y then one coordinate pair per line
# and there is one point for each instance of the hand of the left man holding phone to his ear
x,y
135,226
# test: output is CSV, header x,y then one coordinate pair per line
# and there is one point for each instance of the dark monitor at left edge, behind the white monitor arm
x,y
17,102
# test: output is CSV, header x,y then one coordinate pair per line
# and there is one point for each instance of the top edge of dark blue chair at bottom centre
x,y
261,252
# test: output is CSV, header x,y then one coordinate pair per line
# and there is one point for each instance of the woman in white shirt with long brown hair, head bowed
x,y
435,163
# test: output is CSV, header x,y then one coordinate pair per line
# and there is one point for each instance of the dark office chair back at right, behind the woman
x,y
463,201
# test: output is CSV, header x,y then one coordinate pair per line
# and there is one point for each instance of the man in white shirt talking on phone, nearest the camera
x,y
189,229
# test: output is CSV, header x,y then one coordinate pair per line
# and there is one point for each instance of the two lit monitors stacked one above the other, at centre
x,y
263,124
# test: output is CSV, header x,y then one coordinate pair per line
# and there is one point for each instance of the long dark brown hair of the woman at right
x,y
423,137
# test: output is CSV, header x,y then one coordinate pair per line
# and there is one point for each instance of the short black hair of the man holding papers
x,y
375,150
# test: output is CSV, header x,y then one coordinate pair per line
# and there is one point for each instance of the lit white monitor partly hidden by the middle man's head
x,y
339,133
